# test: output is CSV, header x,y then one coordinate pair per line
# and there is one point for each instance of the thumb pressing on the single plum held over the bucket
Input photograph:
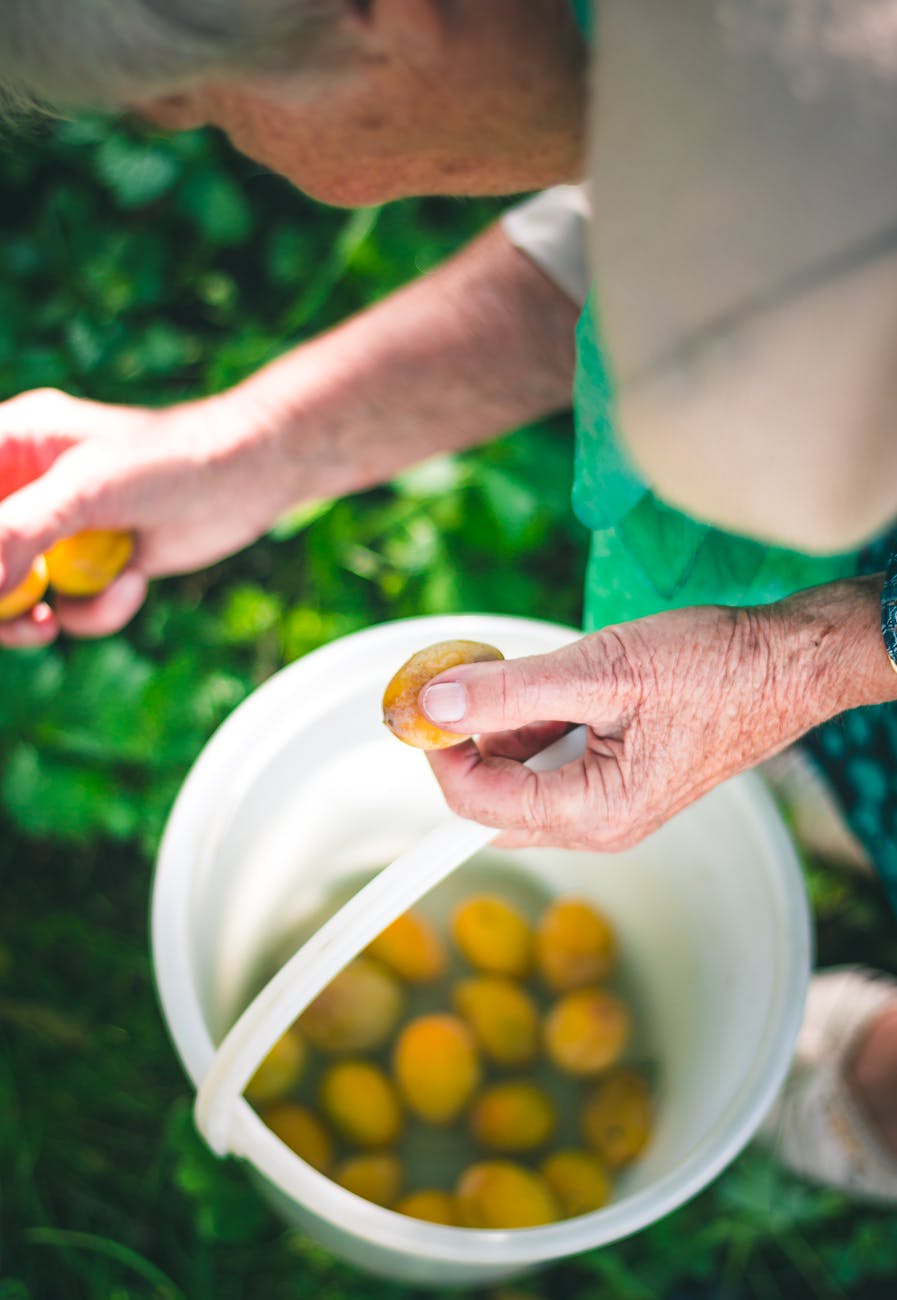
x,y
565,686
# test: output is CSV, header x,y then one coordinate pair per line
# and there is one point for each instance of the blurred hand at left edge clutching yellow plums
x,y
172,478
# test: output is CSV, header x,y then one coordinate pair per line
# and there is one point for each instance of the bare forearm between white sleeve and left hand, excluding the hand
x,y
458,358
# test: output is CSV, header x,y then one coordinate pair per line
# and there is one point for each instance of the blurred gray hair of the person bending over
x,y
112,53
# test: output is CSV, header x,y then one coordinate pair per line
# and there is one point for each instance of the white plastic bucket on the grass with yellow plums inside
x,y
302,794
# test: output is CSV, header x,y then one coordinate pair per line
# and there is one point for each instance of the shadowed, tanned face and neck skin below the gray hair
x,y
430,97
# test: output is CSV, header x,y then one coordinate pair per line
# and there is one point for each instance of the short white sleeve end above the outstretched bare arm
x,y
553,231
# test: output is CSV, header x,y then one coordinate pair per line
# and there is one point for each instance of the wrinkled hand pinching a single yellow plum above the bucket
x,y
673,704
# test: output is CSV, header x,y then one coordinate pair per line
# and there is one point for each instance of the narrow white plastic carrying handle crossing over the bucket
x,y
393,891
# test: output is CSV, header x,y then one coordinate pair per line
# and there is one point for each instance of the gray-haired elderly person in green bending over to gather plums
x,y
735,427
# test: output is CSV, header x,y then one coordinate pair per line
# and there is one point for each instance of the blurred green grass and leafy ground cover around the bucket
x,y
137,270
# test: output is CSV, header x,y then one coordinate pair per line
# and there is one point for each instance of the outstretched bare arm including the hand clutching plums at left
x,y
454,359
